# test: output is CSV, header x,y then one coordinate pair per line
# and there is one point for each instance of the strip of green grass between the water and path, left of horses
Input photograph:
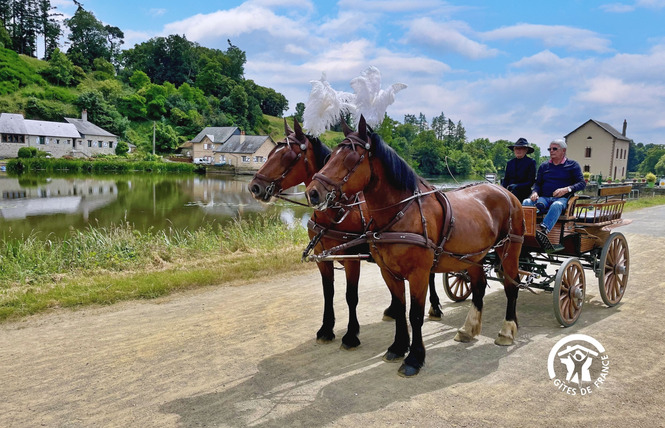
x,y
102,266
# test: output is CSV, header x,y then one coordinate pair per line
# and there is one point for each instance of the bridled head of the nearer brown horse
x,y
346,173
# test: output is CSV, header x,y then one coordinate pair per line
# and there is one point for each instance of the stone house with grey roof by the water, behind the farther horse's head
x,y
229,145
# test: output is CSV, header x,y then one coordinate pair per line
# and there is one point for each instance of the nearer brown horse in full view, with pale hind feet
x,y
412,237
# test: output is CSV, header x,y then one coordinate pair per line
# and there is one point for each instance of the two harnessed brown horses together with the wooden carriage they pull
x,y
366,195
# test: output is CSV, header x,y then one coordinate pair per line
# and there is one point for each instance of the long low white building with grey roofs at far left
x,y
76,137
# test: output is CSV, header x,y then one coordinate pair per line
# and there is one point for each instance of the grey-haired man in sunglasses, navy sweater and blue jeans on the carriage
x,y
556,181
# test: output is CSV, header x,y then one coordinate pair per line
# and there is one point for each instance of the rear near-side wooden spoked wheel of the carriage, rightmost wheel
x,y
614,266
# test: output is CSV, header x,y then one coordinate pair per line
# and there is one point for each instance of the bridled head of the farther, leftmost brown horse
x,y
290,163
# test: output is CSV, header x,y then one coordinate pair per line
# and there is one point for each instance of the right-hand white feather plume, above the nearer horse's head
x,y
370,100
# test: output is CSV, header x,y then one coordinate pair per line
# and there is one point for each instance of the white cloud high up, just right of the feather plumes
x,y
447,37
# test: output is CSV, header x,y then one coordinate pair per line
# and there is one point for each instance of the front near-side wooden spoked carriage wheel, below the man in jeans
x,y
569,290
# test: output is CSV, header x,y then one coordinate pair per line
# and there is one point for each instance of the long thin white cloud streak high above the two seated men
x,y
553,36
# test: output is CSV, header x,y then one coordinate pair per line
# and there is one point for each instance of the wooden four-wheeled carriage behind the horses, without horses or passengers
x,y
584,238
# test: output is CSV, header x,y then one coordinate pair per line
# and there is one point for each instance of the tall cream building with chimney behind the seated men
x,y
600,149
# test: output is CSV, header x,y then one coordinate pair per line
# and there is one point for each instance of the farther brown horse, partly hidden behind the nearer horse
x,y
294,161
